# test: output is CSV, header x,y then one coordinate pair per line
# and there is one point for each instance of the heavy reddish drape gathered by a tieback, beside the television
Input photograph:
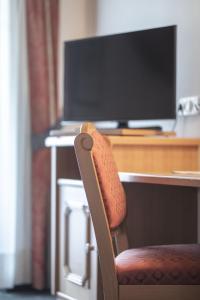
x,y
42,28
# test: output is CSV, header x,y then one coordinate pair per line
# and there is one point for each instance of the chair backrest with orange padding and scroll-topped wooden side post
x,y
105,195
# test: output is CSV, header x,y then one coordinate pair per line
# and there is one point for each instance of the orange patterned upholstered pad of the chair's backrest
x,y
111,188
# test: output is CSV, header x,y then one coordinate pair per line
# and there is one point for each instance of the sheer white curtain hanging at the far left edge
x,y
15,200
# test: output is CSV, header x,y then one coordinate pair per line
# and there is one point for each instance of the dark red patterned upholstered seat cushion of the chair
x,y
166,264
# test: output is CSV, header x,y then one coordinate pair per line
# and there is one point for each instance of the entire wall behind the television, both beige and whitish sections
x,y
83,18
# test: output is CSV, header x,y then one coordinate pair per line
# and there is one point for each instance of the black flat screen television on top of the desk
x,y
121,77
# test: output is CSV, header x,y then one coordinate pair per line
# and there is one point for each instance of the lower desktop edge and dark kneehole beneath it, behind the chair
x,y
162,208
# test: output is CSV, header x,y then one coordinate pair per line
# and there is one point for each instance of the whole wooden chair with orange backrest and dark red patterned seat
x,y
156,272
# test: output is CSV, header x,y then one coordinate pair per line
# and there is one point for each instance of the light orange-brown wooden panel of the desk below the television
x,y
145,154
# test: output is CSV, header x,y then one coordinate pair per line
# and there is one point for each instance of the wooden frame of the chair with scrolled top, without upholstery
x,y
112,290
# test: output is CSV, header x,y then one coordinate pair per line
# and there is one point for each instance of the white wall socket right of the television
x,y
188,106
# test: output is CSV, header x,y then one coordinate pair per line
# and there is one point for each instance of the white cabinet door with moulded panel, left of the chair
x,y
77,249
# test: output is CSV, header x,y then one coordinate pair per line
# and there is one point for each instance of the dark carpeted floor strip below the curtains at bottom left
x,y
25,295
